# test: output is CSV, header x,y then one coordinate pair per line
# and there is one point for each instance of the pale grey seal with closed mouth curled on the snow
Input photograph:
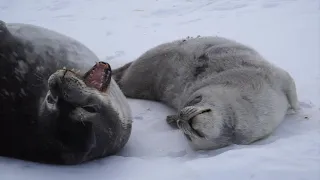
x,y
224,92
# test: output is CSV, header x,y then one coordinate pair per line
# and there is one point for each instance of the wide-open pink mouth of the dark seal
x,y
99,76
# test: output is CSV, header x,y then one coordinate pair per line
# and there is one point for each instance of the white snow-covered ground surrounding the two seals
x,y
286,32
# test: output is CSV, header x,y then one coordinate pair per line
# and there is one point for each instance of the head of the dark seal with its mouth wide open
x,y
87,113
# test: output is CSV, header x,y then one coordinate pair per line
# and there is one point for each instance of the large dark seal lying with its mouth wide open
x,y
51,113
